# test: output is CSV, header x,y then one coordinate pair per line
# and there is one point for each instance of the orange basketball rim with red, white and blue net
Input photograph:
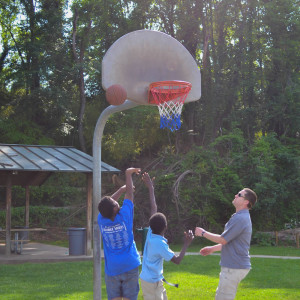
x,y
169,96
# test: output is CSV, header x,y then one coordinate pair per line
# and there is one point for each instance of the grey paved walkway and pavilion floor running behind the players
x,y
42,253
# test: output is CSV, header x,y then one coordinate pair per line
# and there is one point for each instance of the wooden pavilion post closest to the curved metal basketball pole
x,y
89,213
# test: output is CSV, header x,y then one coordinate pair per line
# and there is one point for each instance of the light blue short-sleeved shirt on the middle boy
x,y
156,250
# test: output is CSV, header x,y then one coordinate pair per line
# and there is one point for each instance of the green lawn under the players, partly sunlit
x,y
197,277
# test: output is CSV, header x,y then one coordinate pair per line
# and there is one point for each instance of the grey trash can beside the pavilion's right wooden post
x,y
77,241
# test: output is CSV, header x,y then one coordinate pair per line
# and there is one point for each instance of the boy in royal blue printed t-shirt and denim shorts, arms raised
x,y
121,256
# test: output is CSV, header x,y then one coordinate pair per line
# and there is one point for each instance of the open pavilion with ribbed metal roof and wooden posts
x,y
32,165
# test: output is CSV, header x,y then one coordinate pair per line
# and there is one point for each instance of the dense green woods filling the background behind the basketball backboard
x,y
243,131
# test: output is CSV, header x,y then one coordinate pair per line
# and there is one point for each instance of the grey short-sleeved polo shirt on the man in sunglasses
x,y
237,233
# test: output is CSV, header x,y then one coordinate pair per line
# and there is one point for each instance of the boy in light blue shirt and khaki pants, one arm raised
x,y
156,250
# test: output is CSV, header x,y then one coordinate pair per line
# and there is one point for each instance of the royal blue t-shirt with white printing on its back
x,y
120,250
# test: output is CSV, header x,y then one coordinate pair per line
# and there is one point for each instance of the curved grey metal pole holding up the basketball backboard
x,y
97,188
